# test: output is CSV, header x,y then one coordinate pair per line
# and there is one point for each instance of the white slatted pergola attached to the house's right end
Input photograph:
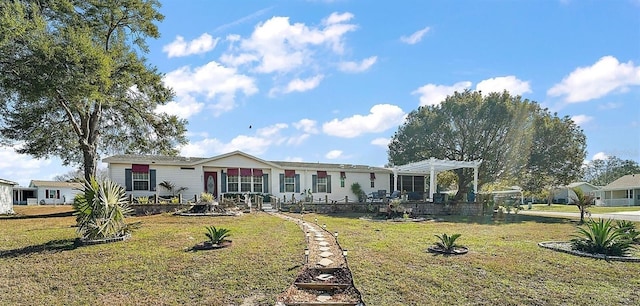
x,y
434,166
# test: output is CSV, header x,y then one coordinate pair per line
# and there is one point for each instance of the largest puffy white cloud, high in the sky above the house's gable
x,y
279,46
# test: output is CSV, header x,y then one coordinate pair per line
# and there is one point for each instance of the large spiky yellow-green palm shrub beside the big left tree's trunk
x,y
101,209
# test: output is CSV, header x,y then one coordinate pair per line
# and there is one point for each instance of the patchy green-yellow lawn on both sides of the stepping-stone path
x,y
389,262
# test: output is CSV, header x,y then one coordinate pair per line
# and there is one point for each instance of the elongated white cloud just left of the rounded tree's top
x,y
380,118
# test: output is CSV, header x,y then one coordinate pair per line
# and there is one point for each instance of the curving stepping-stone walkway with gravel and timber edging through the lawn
x,y
325,257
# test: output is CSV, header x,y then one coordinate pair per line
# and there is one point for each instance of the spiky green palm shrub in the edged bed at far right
x,y
602,237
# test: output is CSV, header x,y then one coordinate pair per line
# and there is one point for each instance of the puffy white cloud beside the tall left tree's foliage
x,y
218,85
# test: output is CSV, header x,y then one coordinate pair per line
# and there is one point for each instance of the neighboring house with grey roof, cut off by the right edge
x,y
624,191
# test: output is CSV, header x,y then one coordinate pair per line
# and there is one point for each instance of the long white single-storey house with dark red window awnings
x,y
240,173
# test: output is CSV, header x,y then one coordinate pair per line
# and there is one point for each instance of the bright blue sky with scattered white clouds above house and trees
x,y
331,81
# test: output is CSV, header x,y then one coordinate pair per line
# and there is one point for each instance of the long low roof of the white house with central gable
x,y
190,161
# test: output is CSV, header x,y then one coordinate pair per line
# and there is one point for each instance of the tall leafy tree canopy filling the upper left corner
x,y
73,83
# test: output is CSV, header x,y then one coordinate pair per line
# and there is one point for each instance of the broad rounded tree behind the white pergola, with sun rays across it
x,y
516,139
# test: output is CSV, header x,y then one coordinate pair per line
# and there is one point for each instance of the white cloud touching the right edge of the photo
x,y
605,76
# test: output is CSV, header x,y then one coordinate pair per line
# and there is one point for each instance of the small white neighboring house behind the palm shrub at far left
x,y
54,192
